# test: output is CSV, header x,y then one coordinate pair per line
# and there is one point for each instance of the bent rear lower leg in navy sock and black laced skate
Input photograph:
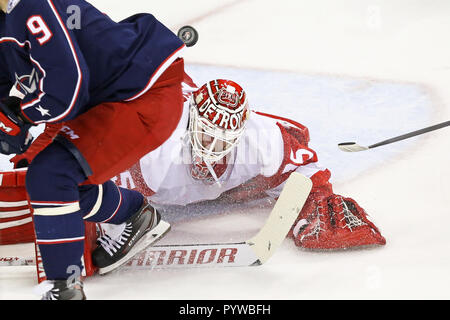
x,y
110,204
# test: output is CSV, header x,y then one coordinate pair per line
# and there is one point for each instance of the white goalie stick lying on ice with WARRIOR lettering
x,y
252,252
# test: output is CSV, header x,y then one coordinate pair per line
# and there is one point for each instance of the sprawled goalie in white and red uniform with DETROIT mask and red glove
x,y
222,150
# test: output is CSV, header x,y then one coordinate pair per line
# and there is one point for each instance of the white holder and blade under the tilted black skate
x,y
148,239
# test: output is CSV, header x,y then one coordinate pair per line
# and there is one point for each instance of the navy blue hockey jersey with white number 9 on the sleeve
x,y
62,69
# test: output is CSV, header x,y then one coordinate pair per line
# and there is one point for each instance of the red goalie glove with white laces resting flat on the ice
x,y
330,221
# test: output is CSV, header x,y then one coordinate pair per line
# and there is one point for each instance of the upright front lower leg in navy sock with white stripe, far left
x,y
52,184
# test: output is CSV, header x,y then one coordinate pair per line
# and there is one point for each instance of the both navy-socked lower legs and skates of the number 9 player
x,y
60,208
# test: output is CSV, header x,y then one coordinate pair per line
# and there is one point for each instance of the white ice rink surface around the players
x,y
350,70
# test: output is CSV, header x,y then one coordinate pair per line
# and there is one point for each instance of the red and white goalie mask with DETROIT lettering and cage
x,y
218,113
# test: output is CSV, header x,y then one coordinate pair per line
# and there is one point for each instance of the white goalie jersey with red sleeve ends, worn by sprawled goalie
x,y
269,148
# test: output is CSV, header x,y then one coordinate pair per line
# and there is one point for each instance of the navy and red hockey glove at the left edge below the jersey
x,y
14,135
